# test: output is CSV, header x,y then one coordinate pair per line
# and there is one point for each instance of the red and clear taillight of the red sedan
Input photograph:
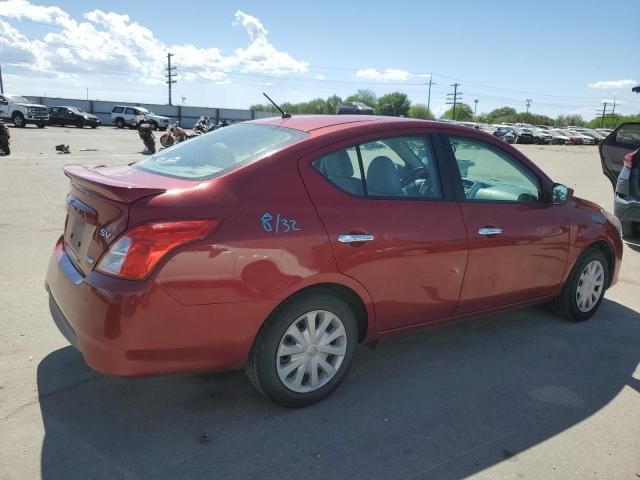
x,y
134,255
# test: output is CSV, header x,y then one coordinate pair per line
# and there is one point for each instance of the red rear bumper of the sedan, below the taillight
x,y
128,328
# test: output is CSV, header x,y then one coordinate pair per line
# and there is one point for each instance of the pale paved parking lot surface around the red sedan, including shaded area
x,y
516,395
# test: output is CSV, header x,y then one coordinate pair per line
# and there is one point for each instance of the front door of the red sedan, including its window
x,y
518,240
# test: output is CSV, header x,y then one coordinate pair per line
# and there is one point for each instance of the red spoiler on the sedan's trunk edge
x,y
91,180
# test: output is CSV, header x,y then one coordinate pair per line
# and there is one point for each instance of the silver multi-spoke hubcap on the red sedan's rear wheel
x,y
311,351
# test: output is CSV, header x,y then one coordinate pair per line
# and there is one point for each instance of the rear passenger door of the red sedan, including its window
x,y
392,224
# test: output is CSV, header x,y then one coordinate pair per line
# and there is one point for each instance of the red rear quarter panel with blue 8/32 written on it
x,y
248,258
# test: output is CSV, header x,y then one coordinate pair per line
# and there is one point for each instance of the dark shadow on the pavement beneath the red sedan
x,y
444,403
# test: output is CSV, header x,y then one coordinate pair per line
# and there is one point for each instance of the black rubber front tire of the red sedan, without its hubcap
x,y
565,305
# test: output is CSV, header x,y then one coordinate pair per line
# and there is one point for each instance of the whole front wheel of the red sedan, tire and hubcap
x,y
584,290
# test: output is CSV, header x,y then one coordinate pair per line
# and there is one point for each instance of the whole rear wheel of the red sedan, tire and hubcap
x,y
304,349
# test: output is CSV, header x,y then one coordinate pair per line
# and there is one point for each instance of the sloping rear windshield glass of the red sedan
x,y
220,151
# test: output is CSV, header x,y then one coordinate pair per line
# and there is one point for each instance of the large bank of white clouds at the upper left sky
x,y
108,43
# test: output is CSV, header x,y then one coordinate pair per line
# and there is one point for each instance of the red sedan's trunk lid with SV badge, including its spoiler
x,y
98,207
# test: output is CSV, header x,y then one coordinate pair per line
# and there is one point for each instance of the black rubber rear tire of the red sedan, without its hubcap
x,y
261,365
